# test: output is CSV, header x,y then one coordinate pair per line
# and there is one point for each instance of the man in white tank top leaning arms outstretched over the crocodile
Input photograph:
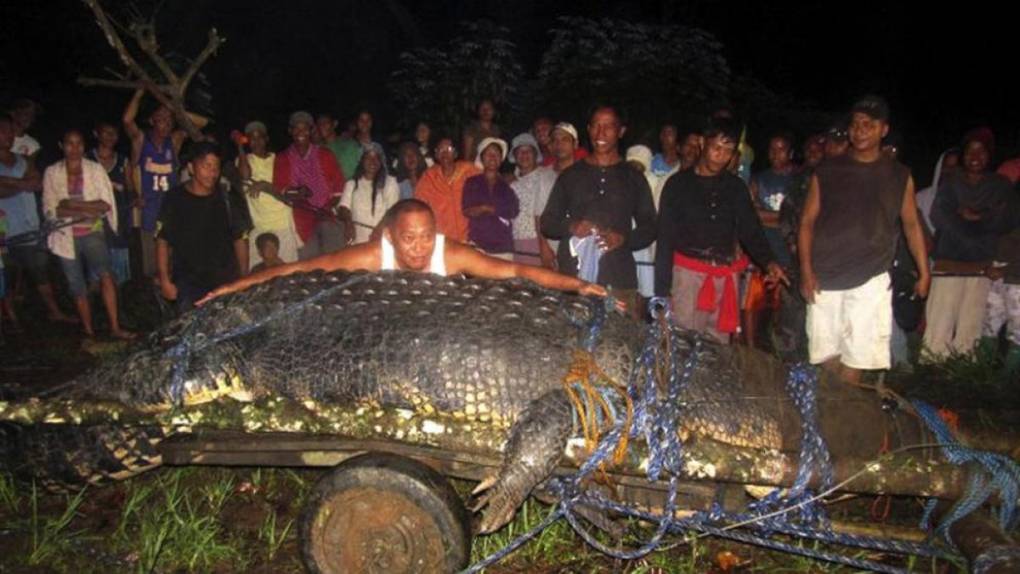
x,y
410,243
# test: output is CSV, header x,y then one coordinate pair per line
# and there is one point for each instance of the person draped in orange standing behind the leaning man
x,y
442,187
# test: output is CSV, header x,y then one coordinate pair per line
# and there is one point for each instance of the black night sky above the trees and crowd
x,y
944,72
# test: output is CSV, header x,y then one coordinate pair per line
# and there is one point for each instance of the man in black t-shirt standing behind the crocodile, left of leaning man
x,y
201,235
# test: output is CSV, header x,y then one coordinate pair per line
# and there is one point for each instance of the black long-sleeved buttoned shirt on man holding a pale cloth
x,y
616,197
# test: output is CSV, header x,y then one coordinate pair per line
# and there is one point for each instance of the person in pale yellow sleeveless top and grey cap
x,y
270,215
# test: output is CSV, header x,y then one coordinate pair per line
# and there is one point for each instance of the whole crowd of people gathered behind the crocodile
x,y
828,254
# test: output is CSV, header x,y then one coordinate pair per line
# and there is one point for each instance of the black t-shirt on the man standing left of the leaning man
x,y
201,231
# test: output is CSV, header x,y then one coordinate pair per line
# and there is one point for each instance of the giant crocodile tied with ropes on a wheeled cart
x,y
460,363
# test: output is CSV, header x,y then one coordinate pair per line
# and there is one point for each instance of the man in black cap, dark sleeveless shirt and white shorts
x,y
857,203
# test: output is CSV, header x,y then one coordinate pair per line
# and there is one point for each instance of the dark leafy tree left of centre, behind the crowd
x,y
444,85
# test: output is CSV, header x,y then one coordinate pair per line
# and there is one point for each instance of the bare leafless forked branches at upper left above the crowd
x,y
147,68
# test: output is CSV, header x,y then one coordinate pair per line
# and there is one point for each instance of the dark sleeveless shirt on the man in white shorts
x,y
858,222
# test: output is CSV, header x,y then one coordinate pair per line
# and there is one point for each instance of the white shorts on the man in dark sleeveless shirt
x,y
853,325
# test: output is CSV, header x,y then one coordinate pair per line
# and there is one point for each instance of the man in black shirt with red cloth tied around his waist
x,y
704,214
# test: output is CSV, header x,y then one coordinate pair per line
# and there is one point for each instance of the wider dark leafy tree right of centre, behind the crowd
x,y
649,70
